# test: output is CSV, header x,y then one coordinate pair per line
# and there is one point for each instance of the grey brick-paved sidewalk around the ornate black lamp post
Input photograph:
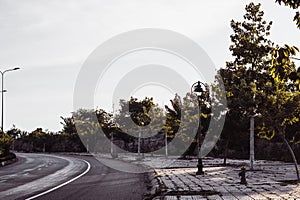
x,y
218,182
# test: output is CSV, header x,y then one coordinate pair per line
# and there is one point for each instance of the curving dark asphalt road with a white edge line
x,y
34,174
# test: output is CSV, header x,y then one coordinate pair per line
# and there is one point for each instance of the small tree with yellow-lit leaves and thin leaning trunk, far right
x,y
281,99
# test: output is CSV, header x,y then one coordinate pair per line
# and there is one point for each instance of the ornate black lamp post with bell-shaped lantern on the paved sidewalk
x,y
198,90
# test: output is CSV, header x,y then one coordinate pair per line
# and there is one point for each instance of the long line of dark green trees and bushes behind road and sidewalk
x,y
261,80
